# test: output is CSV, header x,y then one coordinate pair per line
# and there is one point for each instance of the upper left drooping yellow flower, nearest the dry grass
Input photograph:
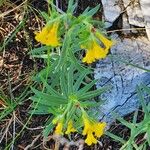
x,y
48,35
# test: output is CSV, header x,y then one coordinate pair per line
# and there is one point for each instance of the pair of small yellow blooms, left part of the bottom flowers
x,y
59,128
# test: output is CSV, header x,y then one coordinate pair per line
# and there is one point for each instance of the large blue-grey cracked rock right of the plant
x,y
122,78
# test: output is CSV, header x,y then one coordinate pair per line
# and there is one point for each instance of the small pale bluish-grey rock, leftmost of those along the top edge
x,y
112,14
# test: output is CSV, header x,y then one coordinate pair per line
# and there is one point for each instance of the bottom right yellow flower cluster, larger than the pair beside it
x,y
93,130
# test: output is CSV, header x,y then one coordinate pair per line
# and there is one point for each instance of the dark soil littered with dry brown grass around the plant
x,y
16,69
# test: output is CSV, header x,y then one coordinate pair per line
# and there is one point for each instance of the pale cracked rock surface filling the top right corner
x,y
134,13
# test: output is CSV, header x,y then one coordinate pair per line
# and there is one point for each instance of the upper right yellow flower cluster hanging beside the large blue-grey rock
x,y
95,51
